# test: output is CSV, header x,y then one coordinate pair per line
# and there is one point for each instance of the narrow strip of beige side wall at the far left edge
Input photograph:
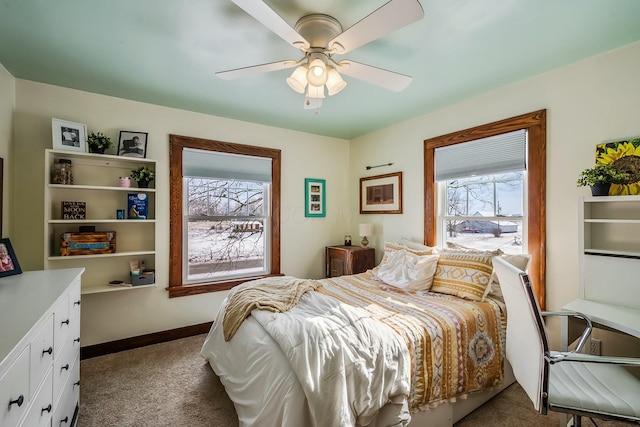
x,y
7,104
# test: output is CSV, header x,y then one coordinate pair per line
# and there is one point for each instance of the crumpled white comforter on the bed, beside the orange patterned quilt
x,y
349,364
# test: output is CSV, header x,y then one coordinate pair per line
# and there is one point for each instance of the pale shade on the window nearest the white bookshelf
x,y
216,165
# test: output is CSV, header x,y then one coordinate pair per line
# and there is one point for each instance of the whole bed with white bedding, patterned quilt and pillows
x,y
359,351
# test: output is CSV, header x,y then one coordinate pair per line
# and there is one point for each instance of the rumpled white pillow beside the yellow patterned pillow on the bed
x,y
406,270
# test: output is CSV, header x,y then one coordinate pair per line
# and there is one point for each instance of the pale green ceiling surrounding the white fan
x,y
166,52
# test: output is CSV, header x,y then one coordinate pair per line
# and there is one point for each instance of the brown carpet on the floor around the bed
x,y
169,384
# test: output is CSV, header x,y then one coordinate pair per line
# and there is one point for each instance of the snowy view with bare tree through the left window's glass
x,y
226,224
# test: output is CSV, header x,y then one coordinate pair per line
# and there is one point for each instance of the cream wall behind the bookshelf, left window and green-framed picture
x,y
118,315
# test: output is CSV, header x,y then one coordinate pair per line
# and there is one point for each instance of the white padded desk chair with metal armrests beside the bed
x,y
569,382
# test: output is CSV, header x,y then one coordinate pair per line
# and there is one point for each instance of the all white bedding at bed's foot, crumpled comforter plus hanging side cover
x,y
329,364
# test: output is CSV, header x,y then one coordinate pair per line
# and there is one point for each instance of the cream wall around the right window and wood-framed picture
x,y
587,103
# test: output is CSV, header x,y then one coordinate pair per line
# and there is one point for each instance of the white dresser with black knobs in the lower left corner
x,y
40,348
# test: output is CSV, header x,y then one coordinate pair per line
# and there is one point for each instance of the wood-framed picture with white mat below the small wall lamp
x,y
381,194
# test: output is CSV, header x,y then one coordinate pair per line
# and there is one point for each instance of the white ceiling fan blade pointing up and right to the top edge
x,y
392,16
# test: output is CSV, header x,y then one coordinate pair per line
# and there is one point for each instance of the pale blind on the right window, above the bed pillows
x,y
492,155
